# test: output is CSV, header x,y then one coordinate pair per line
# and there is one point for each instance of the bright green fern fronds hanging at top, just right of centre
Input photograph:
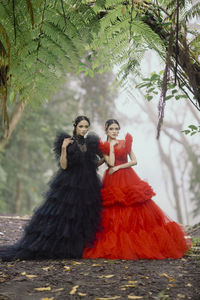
x,y
122,39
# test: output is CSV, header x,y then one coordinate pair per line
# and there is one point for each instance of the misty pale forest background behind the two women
x,y
170,164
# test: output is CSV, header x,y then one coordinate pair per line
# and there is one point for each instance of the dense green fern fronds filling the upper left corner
x,y
41,42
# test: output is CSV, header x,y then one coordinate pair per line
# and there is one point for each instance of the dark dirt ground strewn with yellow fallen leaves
x,y
97,279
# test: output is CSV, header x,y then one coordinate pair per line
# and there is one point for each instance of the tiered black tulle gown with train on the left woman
x,y
70,216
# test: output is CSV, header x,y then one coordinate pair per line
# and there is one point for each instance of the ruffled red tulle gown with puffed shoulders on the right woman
x,y
134,227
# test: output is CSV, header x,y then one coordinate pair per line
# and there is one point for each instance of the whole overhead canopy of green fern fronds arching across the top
x,y
42,40
